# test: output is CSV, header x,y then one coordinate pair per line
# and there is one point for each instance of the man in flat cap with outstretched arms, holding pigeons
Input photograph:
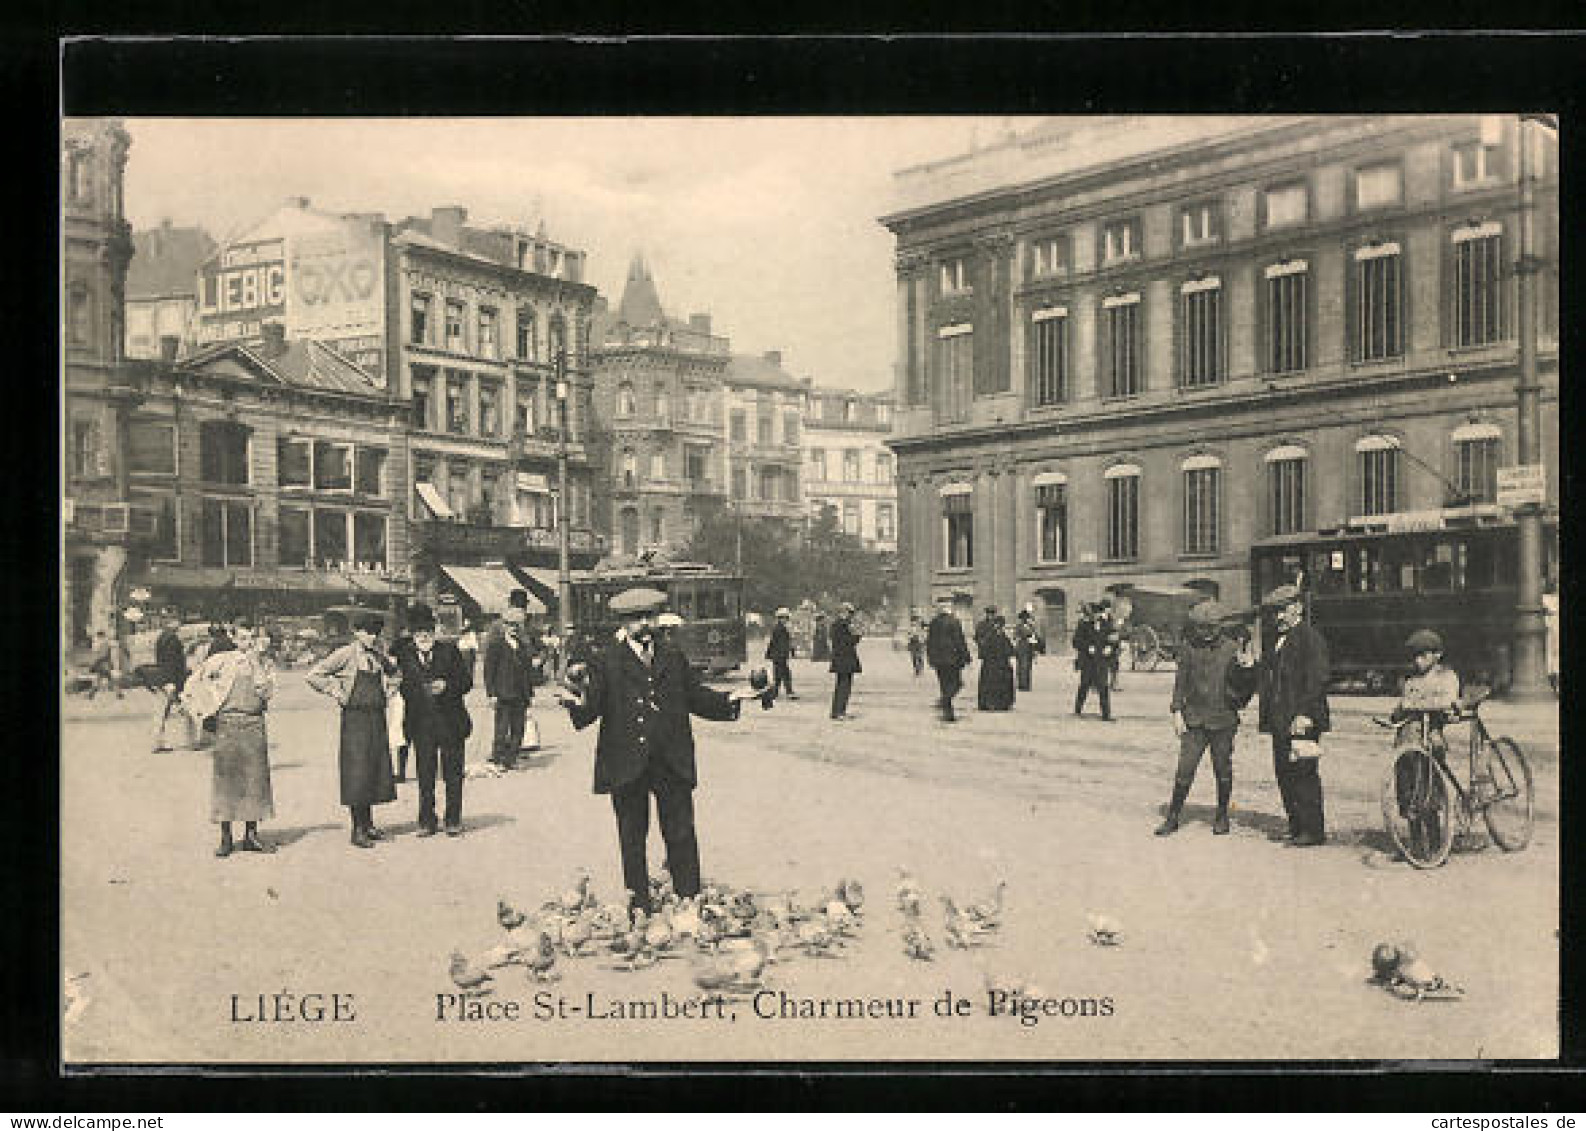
x,y
643,692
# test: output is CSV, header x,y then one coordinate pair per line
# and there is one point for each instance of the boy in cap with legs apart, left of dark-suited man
x,y
1214,680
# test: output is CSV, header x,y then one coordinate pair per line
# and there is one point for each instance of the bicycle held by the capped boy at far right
x,y
1422,792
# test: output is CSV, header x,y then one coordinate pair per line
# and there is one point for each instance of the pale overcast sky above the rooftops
x,y
765,224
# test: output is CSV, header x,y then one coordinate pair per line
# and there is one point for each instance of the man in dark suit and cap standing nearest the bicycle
x,y
1295,713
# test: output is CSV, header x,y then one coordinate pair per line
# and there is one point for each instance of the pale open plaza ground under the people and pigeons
x,y
1233,948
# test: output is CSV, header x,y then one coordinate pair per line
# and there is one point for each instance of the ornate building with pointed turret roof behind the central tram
x,y
662,450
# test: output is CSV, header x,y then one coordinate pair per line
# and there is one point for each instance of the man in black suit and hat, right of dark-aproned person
x,y
435,678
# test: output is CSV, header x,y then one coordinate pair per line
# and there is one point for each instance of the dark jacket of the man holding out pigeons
x,y
645,713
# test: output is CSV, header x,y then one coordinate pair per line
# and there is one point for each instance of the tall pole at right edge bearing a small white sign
x,y
1530,677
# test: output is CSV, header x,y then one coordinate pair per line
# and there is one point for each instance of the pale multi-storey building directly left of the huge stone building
x,y
848,466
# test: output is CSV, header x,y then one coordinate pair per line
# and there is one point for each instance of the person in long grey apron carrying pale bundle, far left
x,y
231,692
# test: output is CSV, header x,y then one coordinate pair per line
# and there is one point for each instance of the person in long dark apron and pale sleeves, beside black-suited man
x,y
361,678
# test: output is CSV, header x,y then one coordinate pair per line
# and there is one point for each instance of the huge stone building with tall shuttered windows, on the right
x,y
1133,350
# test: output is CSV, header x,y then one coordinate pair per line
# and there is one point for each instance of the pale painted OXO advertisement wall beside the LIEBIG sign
x,y
337,293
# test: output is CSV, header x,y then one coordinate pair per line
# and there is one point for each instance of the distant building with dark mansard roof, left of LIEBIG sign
x,y
163,289
